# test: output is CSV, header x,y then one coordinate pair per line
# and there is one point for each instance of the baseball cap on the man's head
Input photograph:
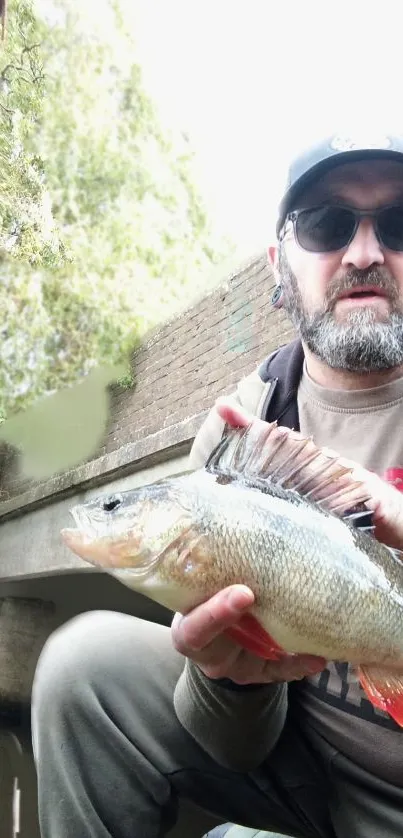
x,y
314,161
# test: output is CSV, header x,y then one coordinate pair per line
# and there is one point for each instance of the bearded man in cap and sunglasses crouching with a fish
x,y
128,716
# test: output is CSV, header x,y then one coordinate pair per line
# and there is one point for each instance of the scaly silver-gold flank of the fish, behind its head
x,y
311,568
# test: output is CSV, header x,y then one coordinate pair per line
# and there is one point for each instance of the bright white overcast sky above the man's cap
x,y
252,81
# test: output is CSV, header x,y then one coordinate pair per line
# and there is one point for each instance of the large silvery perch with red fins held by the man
x,y
274,512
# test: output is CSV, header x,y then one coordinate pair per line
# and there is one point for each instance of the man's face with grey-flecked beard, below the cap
x,y
357,333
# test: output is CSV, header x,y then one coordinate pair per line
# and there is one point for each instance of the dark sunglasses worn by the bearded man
x,y
330,228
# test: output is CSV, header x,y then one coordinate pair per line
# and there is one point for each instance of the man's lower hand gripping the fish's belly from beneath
x,y
199,635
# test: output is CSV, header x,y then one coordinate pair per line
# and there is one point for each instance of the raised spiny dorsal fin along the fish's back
x,y
267,454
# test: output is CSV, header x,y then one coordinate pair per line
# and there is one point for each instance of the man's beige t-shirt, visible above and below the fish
x,y
365,426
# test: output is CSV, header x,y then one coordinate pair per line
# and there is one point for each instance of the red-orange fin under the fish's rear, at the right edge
x,y
384,690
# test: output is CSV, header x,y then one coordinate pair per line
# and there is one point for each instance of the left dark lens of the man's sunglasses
x,y
324,229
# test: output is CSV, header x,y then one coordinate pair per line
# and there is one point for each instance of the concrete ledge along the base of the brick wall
x,y
173,441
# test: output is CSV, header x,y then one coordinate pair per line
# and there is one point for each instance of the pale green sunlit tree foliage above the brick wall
x,y
103,232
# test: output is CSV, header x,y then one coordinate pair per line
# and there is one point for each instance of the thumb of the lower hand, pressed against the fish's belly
x,y
203,624
